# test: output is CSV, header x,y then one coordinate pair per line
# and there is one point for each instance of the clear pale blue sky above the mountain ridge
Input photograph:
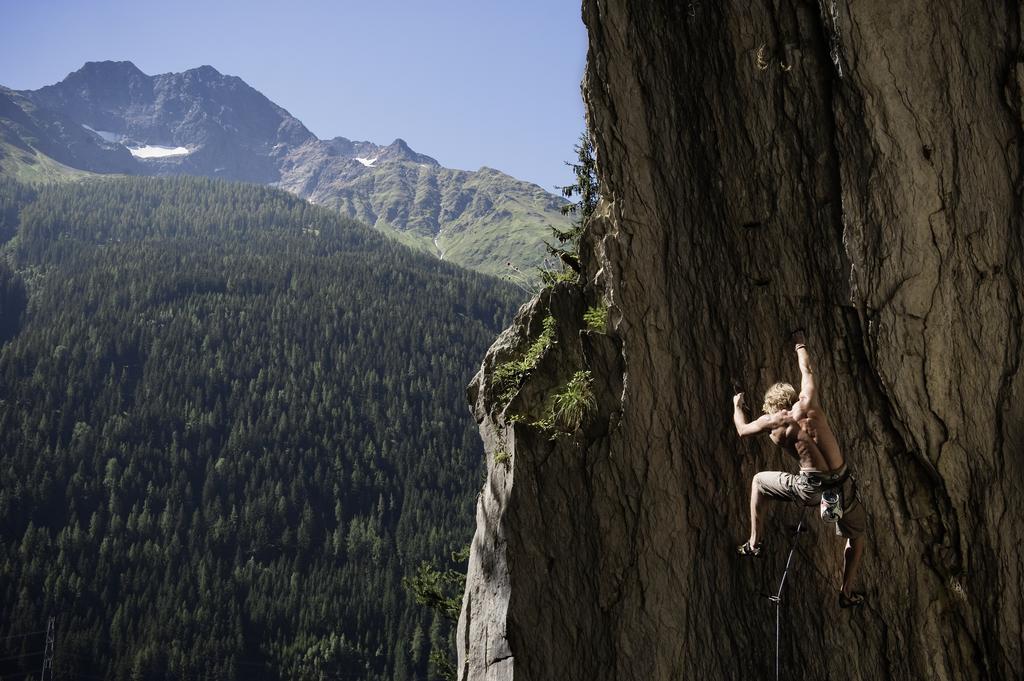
x,y
472,83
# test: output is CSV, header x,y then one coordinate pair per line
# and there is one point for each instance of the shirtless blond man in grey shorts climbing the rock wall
x,y
799,427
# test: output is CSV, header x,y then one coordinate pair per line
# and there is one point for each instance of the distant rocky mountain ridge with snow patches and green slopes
x,y
114,118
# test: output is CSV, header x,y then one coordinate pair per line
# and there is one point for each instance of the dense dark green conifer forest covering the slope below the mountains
x,y
231,423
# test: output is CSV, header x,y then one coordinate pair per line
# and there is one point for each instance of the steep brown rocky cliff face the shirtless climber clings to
x,y
850,168
